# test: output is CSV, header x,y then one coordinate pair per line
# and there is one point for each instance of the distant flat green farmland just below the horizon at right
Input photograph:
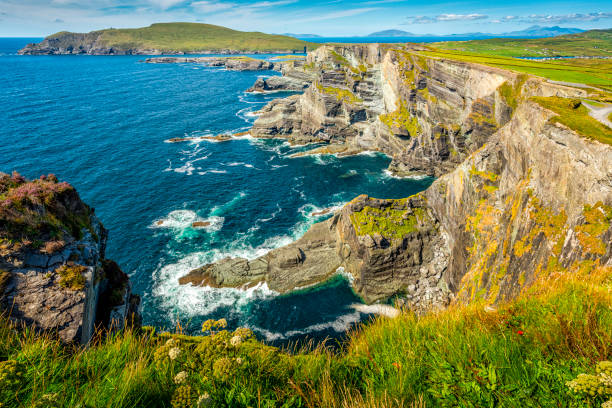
x,y
587,43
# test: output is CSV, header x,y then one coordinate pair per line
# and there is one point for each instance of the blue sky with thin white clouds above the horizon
x,y
39,18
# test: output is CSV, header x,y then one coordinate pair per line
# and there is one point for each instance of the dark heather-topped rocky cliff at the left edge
x,y
53,272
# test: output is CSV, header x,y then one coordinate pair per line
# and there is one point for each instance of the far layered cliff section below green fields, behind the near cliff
x,y
428,114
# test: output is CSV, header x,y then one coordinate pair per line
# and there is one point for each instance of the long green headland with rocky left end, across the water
x,y
171,38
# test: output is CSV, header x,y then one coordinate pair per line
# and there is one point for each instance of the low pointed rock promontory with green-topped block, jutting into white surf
x,y
388,246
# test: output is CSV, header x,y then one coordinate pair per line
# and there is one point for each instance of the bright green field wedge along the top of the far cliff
x,y
596,73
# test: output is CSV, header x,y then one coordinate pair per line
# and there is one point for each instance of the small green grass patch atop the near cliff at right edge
x,y
571,113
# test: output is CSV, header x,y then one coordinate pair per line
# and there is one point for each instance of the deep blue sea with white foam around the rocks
x,y
101,123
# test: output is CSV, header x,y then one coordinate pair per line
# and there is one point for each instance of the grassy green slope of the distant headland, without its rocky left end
x,y
192,37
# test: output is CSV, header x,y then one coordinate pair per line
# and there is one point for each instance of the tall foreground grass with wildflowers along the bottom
x,y
520,354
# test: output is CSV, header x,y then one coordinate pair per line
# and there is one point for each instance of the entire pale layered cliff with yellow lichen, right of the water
x,y
519,196
